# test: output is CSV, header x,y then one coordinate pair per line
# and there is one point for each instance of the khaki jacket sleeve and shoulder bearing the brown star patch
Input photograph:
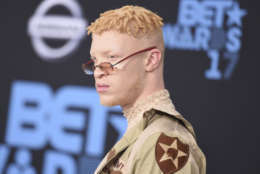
x,y
166,146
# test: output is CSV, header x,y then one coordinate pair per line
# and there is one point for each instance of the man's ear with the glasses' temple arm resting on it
x,y
153,60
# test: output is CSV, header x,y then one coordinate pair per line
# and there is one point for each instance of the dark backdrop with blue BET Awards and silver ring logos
x,y
51,121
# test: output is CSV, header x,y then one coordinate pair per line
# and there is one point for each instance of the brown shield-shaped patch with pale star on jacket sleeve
x,y
171,154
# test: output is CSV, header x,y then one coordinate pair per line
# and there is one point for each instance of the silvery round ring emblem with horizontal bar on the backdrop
x,y
43,26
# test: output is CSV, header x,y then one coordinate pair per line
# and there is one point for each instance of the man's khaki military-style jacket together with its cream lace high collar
x,y
158,141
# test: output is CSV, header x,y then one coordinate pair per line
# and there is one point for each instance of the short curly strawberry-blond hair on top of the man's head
x,y
133,20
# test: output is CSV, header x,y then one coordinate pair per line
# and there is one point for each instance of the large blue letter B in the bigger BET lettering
x,y
26,124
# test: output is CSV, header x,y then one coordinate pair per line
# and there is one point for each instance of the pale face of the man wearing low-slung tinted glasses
x,y
125,84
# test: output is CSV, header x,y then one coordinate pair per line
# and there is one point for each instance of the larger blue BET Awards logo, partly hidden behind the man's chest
x,y
64,131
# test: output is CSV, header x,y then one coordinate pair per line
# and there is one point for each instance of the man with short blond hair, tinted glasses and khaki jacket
x,y
127,53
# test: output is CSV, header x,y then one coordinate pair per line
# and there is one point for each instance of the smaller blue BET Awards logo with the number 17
x,y
210,25
